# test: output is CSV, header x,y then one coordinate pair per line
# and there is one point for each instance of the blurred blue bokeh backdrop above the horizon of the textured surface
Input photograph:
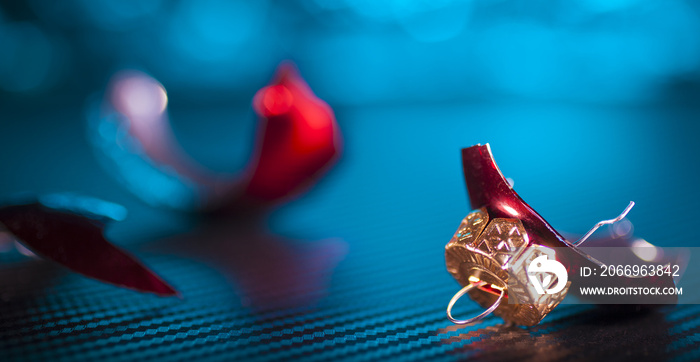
x,y
363,52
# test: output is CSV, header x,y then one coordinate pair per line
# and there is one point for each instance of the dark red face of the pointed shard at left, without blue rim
x,y
78,243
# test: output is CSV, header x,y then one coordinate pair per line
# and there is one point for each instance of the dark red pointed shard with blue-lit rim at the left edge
x,y
69,230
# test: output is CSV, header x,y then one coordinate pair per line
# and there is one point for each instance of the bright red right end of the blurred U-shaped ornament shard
x,y
299,138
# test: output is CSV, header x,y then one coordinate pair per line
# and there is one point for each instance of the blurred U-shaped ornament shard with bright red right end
x,y
298,139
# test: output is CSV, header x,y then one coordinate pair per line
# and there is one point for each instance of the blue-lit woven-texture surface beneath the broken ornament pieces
x,y
355,270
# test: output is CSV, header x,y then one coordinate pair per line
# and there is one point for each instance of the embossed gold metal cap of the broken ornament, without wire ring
x,y
496,252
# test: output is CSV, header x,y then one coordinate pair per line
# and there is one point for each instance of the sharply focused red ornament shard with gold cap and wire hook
x,y
503,242
